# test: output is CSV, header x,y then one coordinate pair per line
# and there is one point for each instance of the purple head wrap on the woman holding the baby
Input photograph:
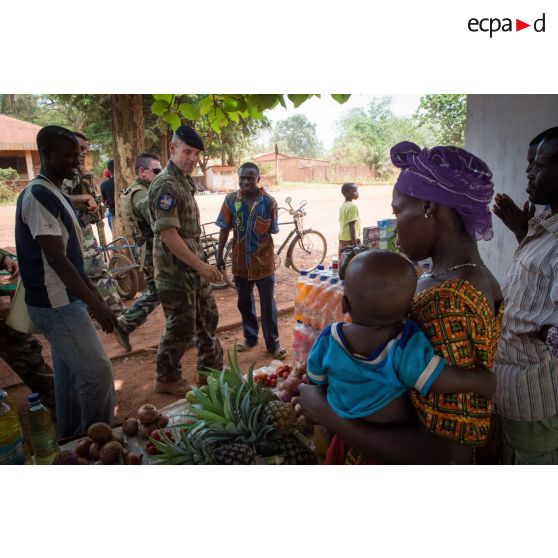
x,y
449,176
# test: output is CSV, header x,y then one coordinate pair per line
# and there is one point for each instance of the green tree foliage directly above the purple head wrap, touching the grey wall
x,y
444,116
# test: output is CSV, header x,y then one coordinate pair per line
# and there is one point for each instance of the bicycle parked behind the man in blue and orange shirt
x,y
306,250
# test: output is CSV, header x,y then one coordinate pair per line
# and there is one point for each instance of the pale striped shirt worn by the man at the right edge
x,y
527,386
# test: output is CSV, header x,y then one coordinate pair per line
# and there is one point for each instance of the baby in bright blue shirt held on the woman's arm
x,y
368,365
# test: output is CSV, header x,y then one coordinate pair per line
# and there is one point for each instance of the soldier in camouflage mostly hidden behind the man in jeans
x,y
93,261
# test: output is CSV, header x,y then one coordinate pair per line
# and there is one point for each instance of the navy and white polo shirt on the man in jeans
x,y
44,210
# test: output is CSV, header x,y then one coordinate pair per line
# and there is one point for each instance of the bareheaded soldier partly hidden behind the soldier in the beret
x,y
136,223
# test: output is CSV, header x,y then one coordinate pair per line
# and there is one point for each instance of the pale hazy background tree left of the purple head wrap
x,y
365,136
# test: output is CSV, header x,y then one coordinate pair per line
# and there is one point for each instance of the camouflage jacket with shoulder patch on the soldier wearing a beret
x,y
172,204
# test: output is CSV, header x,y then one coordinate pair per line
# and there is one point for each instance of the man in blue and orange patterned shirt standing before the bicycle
x,y
251,214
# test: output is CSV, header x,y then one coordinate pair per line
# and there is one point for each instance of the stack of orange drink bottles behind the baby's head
x,y
317,304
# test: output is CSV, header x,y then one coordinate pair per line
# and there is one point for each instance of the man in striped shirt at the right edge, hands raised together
x,y
527,358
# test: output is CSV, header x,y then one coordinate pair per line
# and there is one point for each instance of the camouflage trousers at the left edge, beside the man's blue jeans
x,y
24,354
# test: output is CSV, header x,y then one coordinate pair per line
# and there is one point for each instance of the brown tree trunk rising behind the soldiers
x,y
127,143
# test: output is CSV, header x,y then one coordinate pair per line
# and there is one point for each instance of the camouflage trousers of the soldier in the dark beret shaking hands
x,y
191,318
